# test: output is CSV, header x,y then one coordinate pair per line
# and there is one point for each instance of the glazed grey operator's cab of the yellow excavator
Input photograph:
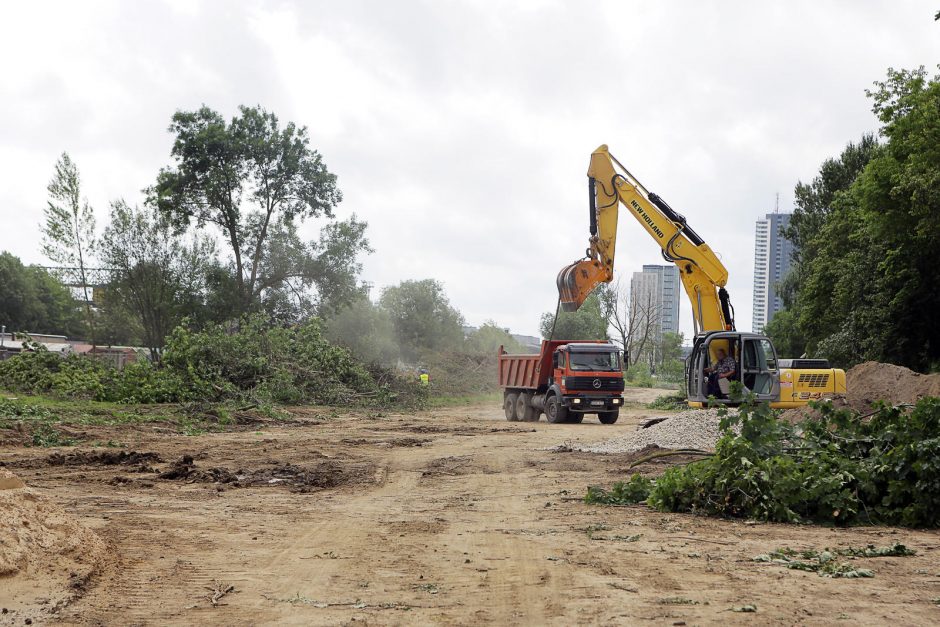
x,y
756,367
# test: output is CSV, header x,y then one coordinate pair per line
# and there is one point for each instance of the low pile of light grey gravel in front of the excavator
x,y
695,428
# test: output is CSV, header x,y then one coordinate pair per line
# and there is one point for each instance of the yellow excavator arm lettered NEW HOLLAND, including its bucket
x,y
702,273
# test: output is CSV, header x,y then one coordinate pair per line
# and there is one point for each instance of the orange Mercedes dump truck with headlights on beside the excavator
x,y
565,380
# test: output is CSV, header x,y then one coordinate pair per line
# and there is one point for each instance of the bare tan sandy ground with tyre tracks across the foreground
x,y
446,517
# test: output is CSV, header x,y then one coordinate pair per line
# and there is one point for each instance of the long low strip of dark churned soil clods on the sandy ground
x,y
326,474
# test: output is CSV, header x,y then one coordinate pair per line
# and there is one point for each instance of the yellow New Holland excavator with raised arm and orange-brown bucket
x,y
784,383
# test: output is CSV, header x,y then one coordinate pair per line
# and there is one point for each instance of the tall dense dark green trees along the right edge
x,y
869,237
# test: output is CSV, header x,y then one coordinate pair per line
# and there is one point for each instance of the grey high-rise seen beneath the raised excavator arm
x,y
654,300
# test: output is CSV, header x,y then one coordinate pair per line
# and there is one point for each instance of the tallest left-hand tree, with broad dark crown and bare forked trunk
x,y
255,180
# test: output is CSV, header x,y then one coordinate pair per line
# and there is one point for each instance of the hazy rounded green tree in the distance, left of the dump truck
x,y
423,316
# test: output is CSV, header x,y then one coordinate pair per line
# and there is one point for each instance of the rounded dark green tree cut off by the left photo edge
x,y
33,300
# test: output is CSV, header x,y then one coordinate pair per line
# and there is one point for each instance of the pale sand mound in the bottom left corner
x,y
46,555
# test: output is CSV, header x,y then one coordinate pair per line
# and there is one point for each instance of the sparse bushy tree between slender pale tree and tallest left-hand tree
x,y
157,275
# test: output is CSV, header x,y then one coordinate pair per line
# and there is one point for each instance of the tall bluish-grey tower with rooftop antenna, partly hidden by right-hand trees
x,y
772,257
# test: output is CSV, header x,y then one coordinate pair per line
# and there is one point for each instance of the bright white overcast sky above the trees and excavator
x,y
461,131
